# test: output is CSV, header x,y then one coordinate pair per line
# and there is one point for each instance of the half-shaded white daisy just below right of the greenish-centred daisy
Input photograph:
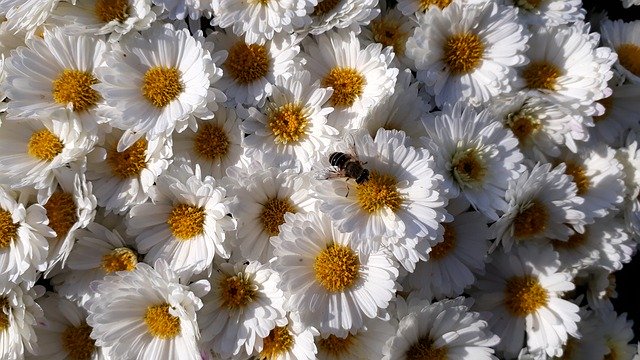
x,y
543,204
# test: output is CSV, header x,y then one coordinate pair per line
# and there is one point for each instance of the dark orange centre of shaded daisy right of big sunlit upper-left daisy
x,y
247,63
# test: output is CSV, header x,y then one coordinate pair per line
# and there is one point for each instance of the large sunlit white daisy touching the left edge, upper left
x,y
53,73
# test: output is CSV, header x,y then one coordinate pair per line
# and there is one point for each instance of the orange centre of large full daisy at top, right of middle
x,y
463,53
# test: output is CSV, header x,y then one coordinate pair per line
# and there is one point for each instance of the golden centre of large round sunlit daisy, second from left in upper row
x,y
161,85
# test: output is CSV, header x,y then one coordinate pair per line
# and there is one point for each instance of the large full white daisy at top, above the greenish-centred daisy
x,y
468,53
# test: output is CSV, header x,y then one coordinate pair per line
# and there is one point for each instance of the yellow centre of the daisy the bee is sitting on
x,y
379,191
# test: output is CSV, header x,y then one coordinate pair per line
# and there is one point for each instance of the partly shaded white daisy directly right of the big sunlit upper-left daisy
x,y
250,70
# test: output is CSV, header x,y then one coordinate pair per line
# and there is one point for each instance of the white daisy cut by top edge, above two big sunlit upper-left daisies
x,y
105,17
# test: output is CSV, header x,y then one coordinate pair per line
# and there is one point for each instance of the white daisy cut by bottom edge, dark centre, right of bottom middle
x,y
442,330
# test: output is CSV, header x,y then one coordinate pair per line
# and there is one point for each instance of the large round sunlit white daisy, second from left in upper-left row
x,y
169,81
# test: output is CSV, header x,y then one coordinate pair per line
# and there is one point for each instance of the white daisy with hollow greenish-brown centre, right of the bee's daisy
x,y
476,154
